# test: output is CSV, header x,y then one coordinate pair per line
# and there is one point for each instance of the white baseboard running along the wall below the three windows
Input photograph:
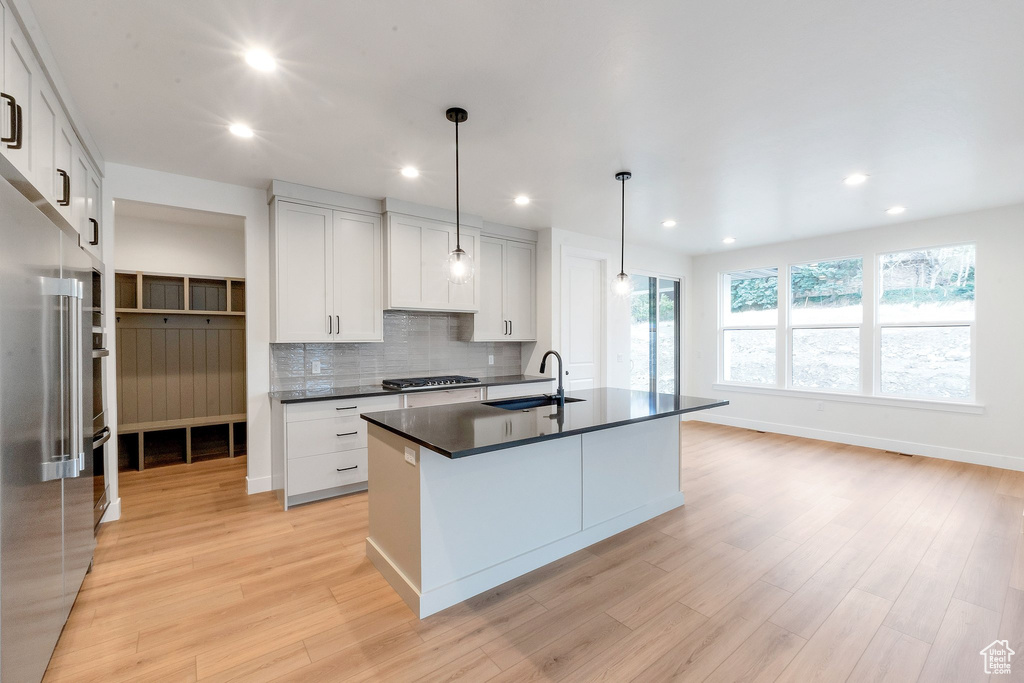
x,y
911,448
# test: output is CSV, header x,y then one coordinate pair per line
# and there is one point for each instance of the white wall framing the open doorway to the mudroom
x,y
129,183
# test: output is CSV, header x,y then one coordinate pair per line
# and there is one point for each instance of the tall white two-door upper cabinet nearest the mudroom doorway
x,y
327,276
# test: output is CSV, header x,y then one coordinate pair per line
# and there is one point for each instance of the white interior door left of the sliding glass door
x,y
583,322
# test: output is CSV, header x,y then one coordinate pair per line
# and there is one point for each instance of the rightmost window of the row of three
x,y
926,323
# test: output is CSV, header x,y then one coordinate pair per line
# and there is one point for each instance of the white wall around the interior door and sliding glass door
x,y
552,246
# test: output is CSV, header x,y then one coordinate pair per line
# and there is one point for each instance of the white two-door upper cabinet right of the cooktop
x,y
507,271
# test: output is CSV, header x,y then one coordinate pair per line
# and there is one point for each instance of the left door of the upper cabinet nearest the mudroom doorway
x,y
305,284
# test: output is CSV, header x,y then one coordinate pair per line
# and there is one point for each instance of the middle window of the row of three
x,y
826,315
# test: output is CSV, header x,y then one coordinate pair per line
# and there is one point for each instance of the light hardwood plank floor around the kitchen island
x,y
793,561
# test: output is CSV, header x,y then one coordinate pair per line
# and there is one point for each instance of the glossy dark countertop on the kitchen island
x,y
467,430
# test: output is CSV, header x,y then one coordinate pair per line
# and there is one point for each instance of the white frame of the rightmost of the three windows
x,y
879,326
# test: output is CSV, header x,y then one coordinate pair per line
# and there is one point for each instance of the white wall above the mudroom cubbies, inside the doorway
x,y
157,246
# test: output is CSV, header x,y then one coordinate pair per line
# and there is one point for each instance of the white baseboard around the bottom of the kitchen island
x,y
424,605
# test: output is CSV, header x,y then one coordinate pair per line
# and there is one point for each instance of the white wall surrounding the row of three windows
x,y
992,438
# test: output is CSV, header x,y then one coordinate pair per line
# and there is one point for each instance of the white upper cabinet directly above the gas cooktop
x,y
416,262
